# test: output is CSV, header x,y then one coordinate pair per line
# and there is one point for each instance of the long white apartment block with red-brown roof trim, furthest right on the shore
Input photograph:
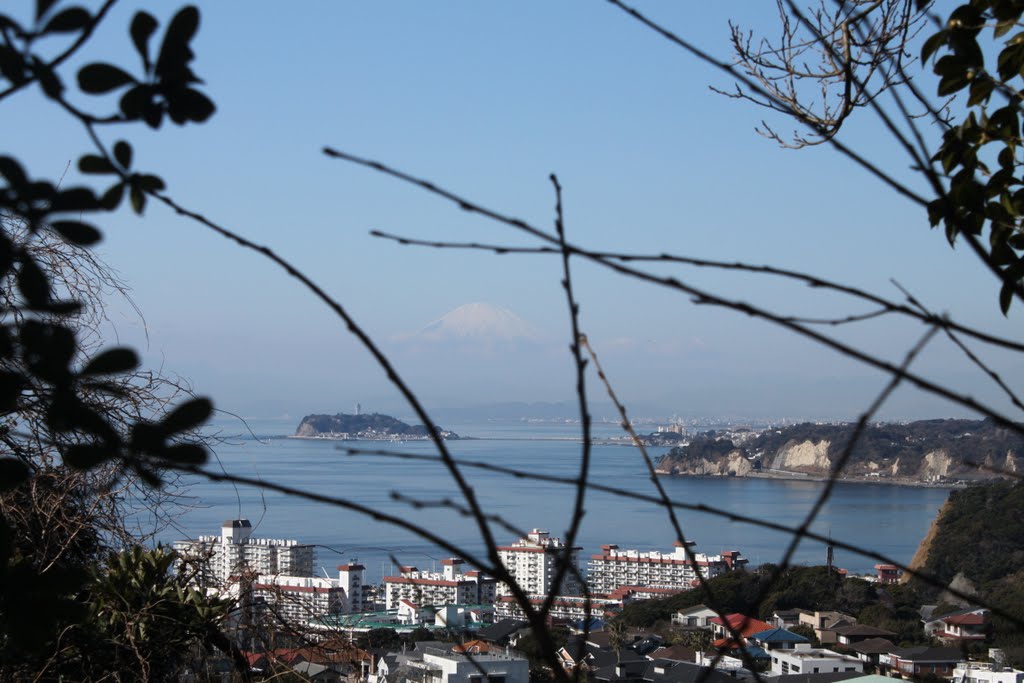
x,y
614,569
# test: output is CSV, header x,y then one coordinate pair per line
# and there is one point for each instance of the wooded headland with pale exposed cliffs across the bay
x,y
928,451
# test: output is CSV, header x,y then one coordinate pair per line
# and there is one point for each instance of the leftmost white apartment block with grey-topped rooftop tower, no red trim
x,y
235,552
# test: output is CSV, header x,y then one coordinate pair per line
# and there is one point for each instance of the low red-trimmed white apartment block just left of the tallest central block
x,y
450,587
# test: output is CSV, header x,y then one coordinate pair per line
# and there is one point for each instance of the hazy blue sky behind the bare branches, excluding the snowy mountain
x,y
488,100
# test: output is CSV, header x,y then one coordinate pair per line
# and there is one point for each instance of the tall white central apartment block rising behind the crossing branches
x,y
534,563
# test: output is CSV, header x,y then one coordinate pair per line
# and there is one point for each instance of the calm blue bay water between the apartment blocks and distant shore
x,y
888,520
